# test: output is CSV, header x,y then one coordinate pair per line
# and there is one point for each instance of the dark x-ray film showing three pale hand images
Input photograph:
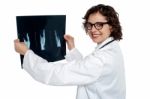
x,y
44,34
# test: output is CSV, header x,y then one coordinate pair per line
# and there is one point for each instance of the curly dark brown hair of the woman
x,y
111,16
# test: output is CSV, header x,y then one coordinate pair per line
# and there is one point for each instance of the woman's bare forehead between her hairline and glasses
x,y
96,17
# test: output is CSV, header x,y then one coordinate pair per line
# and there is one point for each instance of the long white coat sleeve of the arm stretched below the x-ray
x,y
76,72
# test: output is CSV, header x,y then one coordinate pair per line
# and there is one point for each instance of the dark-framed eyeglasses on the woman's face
x,y
97,25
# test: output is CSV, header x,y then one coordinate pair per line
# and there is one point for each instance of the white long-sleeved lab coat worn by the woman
x,y
99,75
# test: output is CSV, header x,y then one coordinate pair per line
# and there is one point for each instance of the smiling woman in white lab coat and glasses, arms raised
x,y
99,75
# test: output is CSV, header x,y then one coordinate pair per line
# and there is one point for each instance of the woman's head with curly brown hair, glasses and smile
x,y
105,21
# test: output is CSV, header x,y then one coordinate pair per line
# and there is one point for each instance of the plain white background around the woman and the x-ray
x,y
134,16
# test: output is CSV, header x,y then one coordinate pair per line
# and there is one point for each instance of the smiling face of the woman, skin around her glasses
x,y
98,35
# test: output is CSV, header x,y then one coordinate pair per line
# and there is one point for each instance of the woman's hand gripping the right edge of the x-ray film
x,y
70,41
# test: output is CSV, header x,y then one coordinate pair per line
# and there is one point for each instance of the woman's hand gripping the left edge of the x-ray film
x,y
20,47
